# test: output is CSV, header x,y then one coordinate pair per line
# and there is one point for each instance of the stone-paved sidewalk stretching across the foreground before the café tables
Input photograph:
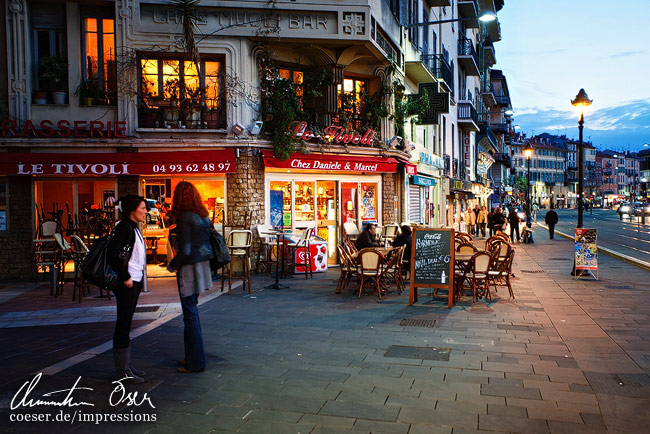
x,y
565,356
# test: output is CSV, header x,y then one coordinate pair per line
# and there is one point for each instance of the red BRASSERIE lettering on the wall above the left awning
x,y
64,128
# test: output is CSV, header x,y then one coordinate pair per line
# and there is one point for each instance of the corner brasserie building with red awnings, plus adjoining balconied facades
x,y
290,114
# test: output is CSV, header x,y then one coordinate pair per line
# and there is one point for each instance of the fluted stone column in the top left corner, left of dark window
x,y
18,59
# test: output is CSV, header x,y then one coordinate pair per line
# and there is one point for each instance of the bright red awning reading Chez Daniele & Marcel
x,y
332,163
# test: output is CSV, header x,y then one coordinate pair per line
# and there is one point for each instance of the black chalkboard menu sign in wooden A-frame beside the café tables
x,y
432,261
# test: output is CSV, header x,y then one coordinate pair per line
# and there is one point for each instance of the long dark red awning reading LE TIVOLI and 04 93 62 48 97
x,y
123,163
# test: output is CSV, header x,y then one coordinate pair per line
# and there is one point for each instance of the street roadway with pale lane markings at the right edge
x,y
628,237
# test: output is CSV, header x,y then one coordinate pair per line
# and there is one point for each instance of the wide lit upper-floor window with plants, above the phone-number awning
x,y
174,93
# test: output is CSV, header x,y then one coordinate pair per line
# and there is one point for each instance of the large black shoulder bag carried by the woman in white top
x,y
96,269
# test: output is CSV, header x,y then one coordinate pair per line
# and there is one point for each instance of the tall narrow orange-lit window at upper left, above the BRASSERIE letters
x,y
99,65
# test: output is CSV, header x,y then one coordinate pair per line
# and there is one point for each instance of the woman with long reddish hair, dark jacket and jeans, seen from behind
x,y
192,265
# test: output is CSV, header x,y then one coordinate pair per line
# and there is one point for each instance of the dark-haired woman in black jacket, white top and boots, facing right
x,y
126,254
